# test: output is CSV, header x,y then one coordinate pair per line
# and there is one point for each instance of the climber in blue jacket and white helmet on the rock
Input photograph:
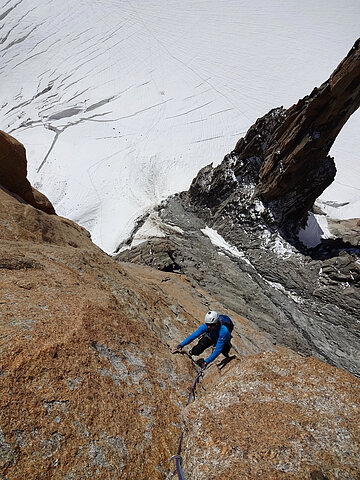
x,y
215,331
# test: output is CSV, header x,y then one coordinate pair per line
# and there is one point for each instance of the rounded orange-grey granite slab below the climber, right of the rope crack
x,y
274,416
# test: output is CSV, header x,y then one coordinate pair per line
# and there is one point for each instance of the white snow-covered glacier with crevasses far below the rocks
x,y
120,103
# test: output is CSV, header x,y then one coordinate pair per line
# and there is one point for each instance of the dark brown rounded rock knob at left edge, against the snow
x,y
13,171
